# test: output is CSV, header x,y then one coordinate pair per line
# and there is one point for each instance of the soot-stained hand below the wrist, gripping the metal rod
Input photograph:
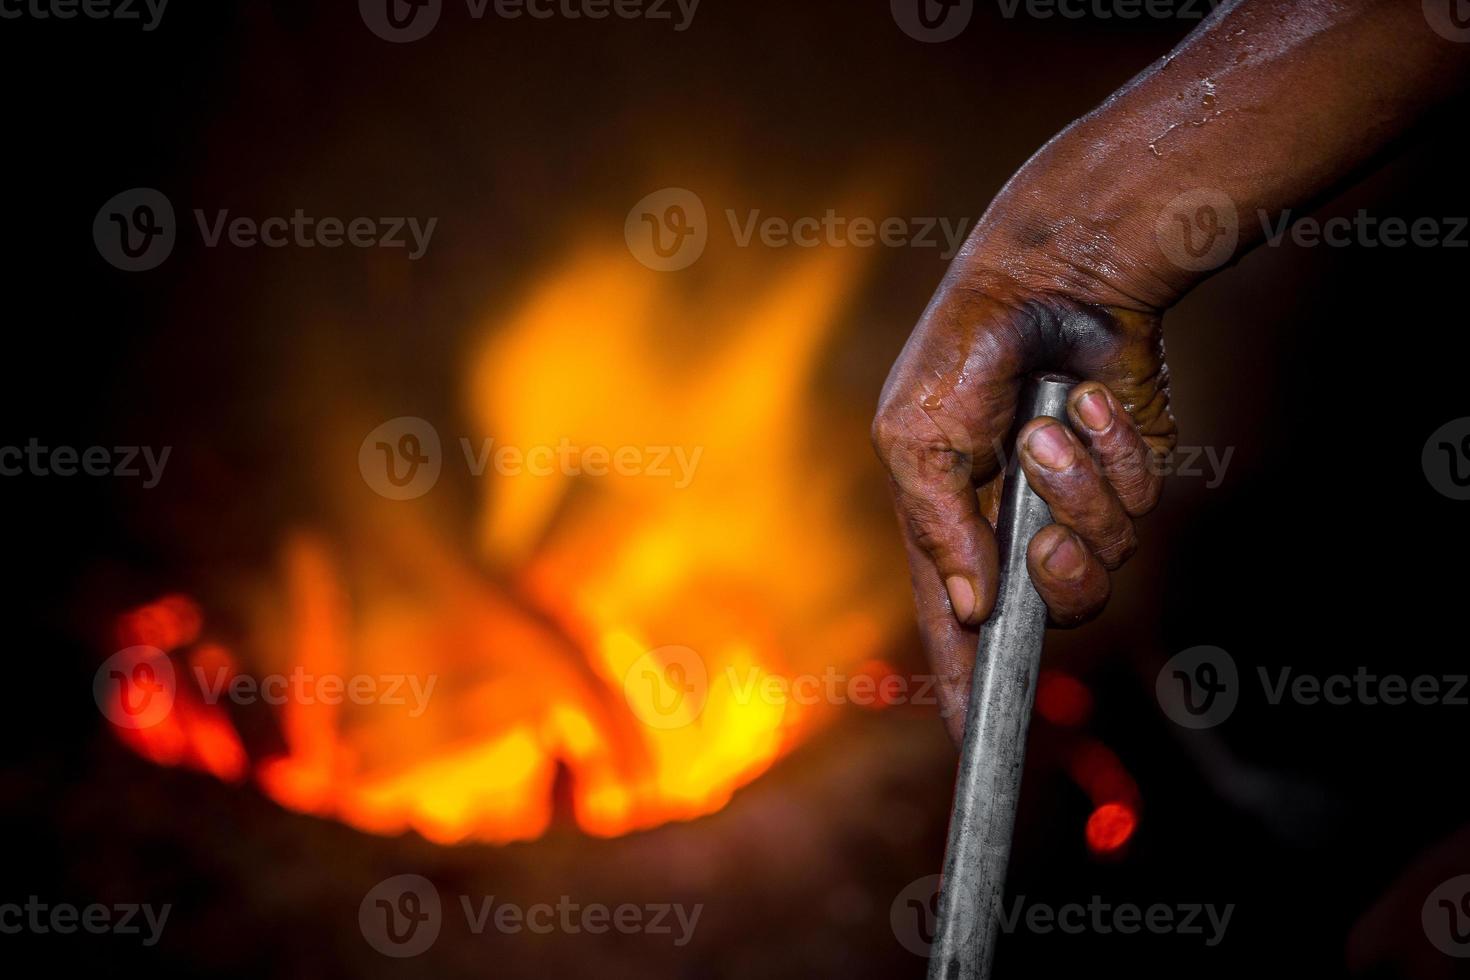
x,y
943,430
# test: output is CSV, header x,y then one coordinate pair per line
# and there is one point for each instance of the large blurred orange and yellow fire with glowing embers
x,y
540,641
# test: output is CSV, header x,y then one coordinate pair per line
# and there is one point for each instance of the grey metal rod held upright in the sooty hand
x,y
1002,691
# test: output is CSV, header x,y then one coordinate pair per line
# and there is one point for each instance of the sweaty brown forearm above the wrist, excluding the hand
x,y
1269,105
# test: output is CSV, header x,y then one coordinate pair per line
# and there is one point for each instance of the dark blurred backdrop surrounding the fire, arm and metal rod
x,y
1325,549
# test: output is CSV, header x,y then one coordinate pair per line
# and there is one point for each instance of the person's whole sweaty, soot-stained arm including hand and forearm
x,y
1268,105
